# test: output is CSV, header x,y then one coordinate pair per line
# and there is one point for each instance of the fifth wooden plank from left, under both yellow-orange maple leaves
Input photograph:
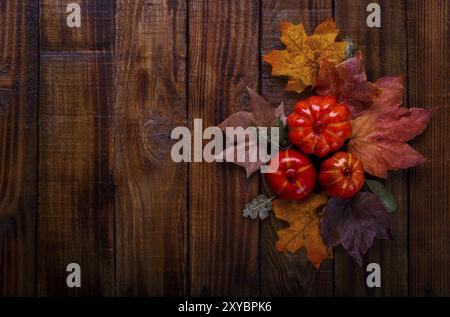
x,y
285,274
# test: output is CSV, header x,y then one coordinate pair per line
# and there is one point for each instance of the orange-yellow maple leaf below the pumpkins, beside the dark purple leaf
x,y
303,217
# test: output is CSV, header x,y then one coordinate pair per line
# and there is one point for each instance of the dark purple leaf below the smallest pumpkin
x,y
354,223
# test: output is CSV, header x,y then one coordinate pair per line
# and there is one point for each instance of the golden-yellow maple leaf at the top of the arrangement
x,y
300,60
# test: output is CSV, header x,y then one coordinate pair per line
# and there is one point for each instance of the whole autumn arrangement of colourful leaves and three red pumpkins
x,y
336,146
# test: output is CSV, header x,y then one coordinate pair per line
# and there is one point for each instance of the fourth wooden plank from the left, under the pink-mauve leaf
x,y
223,61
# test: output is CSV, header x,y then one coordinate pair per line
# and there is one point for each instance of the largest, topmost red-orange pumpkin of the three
x,y
319,125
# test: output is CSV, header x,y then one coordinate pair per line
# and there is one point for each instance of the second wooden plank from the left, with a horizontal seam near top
x,y
76,190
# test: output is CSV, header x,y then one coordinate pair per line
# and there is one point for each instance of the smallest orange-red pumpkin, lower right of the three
x,y
342,175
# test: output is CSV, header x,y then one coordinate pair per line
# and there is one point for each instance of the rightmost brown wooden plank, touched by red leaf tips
x,y
429,86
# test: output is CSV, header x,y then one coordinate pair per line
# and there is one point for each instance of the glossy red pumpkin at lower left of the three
x,y
294,177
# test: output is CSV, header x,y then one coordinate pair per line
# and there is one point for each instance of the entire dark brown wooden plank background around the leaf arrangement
x,y
85,121
